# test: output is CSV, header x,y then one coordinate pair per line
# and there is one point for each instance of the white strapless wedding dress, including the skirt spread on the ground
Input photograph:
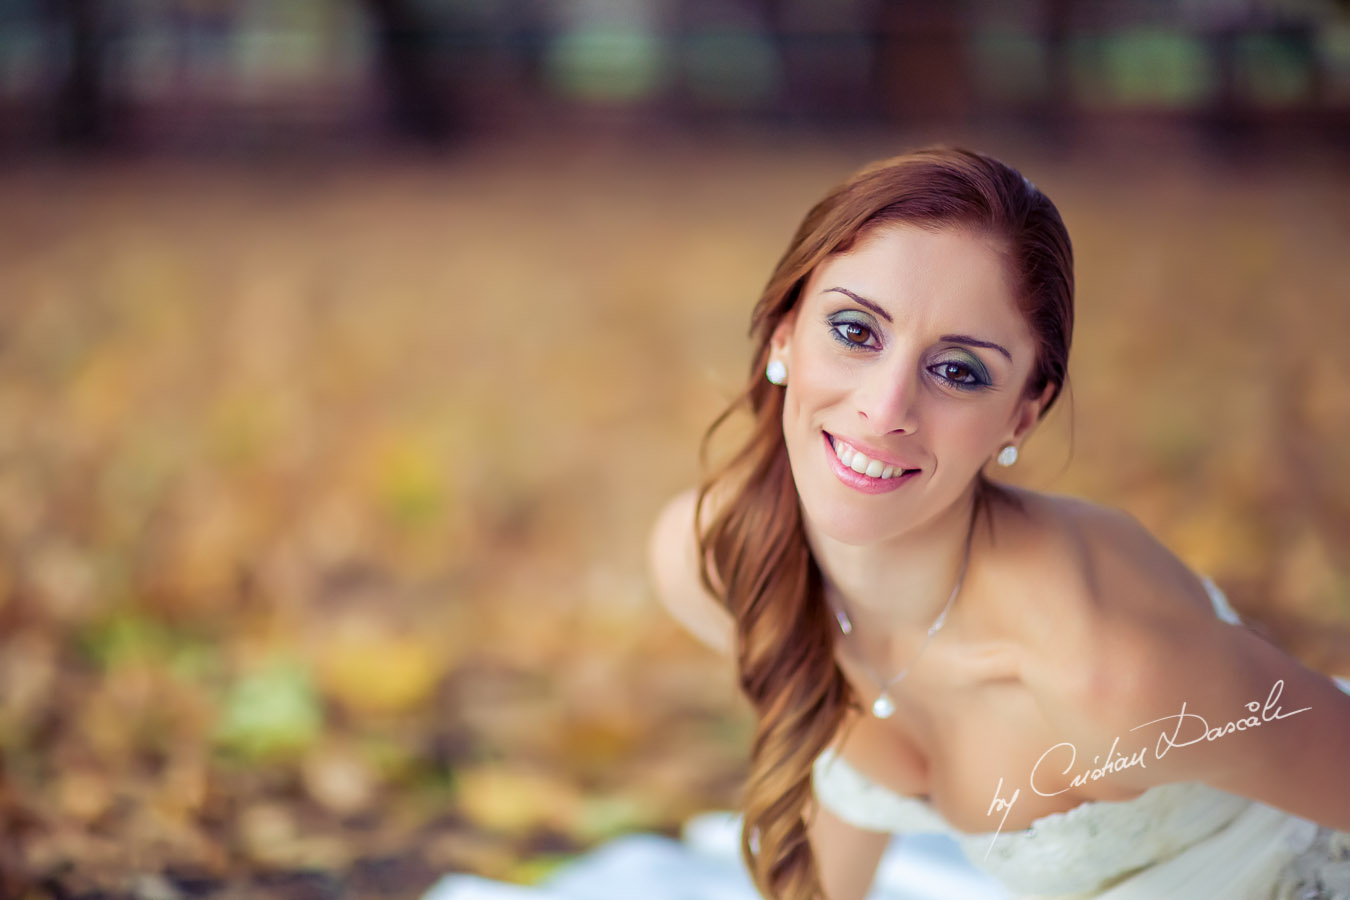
x,y
1183,841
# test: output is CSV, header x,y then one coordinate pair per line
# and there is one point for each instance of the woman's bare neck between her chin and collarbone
x,y
902,585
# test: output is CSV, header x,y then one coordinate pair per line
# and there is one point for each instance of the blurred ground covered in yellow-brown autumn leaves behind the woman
x,y
325,485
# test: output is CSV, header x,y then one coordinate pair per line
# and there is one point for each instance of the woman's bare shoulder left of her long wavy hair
x,y
674,569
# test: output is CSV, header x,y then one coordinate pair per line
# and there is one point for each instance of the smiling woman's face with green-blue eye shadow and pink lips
x,y
909,349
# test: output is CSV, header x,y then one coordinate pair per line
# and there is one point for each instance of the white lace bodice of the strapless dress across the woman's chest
x,y
1085,851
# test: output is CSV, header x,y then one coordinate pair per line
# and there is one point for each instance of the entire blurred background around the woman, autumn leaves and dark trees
x,y
348,351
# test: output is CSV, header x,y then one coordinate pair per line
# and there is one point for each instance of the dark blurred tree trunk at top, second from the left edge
x,y
418,102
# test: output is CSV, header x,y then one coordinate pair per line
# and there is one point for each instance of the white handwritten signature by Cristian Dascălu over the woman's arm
x,y
1270,712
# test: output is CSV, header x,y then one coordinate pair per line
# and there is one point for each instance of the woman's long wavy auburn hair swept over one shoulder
x,y
772,585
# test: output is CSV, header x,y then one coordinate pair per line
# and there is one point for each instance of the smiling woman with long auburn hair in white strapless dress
x,y
927,650
